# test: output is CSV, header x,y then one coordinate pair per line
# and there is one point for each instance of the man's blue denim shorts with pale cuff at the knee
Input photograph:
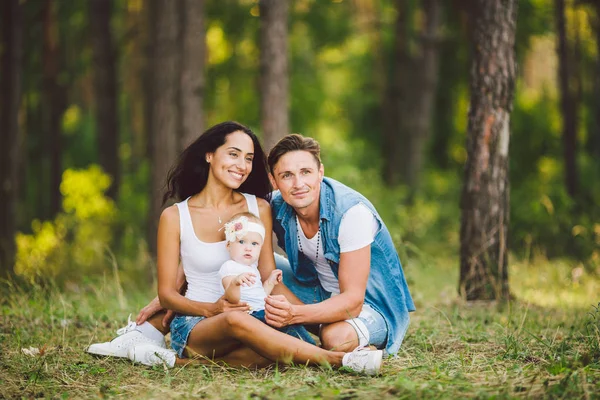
x,y
370,325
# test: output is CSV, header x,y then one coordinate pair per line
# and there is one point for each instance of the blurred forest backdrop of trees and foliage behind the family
x,y
385,86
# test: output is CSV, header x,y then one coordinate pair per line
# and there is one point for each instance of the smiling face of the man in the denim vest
x,y
298,177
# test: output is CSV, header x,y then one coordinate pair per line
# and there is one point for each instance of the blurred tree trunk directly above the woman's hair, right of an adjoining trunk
x,y
191,88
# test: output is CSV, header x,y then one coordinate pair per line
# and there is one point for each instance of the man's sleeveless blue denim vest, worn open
x,y
387,291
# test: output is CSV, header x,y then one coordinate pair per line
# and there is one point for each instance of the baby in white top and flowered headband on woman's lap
x,y
245,235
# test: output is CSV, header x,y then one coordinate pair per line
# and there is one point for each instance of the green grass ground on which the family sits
x,y
546,344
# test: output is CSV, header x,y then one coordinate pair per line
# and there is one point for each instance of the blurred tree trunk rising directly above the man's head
x,y
274,70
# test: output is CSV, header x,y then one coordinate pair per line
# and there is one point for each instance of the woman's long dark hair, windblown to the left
x,y
190,173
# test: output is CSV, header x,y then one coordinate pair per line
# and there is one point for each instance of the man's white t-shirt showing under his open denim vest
x,y
357,230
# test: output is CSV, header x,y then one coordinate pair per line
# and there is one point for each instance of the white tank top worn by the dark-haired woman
x,y
201,261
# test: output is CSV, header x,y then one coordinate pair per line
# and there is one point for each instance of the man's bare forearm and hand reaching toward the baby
x,y
353,275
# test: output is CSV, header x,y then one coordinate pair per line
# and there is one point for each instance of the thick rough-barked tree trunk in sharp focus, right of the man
x,y
485,195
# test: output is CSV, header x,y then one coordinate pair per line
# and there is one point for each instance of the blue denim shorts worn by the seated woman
x,y
182,326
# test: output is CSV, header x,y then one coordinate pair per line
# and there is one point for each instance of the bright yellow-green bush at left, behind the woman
x,y
75,243
